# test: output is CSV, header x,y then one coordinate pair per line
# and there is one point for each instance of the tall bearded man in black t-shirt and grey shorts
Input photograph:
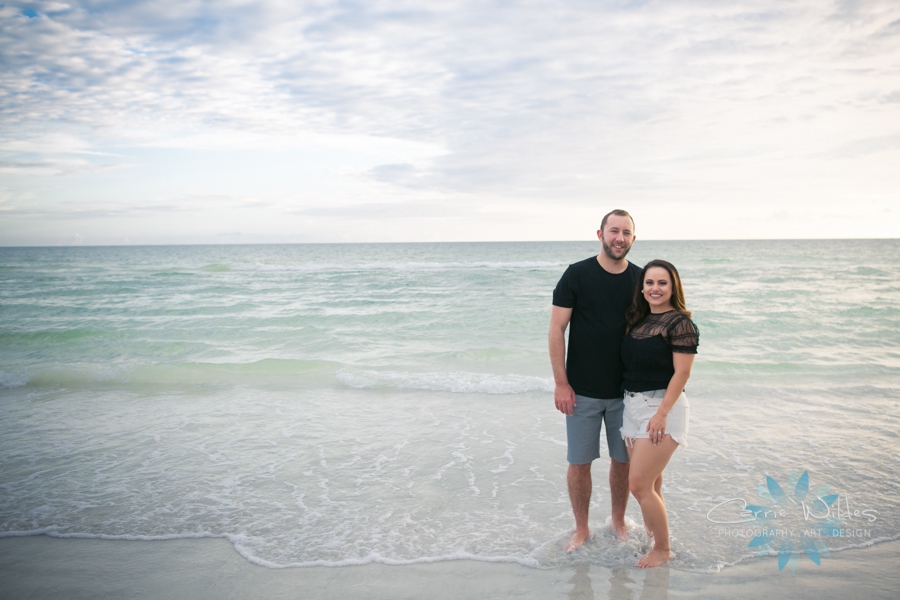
x,y
592,296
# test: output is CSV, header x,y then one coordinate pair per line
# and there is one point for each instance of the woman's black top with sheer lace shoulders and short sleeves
x,y
647,349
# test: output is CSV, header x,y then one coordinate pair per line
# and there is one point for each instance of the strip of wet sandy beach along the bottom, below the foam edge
x,y
41,567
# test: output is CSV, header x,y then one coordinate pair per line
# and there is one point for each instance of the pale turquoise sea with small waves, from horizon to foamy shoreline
x,y
342,404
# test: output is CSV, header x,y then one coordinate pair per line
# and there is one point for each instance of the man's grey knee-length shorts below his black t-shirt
x,y
583,429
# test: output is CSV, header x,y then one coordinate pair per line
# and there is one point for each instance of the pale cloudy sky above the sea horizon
x,y
284,121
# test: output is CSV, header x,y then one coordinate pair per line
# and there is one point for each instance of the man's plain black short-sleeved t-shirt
x,y
598,300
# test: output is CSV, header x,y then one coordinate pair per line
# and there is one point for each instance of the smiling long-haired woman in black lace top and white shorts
x,y
658,351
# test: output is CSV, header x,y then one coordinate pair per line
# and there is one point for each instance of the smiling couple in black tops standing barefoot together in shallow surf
x,y
629,330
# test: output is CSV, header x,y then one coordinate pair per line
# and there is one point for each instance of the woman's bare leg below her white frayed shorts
x,y
645,481
